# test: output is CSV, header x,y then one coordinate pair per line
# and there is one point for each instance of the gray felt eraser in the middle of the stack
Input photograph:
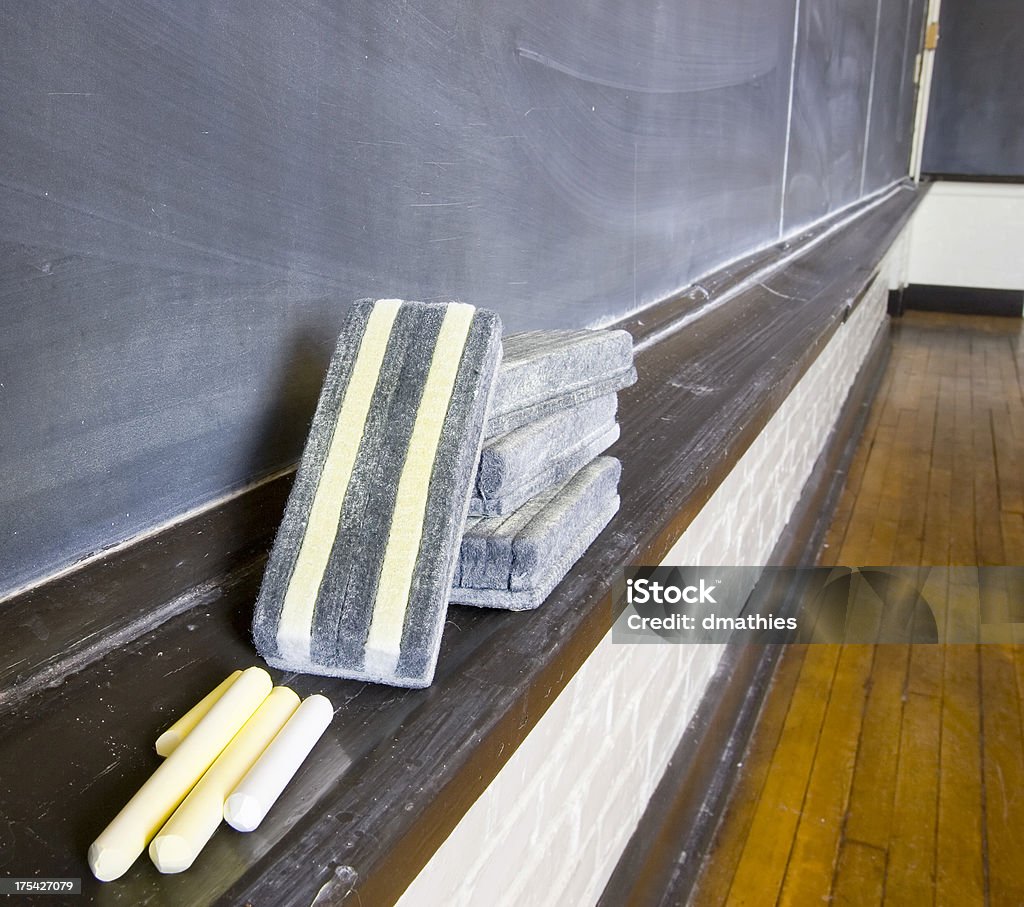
x,y
524,462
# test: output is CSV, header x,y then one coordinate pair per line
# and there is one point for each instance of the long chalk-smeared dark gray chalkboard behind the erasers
x,y
192,195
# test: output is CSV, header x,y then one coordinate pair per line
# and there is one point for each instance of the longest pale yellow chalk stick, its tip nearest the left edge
x,y
121,843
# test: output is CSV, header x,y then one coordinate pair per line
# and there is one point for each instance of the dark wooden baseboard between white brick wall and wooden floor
x,y
662,861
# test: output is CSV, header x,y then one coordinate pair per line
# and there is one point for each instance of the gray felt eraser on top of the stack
x,y
546,371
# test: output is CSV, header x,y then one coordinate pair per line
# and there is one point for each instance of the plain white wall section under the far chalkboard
x,y
969,235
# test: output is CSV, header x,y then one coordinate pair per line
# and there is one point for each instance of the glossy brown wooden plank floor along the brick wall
x,y
895,774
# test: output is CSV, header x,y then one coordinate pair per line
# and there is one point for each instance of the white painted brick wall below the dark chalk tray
x,y
551,827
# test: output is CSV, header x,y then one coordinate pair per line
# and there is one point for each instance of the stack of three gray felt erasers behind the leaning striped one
x,y
542,493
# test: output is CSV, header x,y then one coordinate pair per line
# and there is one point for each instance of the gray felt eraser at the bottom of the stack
x,y
516,562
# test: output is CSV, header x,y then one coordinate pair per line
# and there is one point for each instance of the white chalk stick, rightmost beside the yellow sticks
x,y
264,784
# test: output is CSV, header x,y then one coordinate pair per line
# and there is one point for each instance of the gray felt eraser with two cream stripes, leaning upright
x,y
358,581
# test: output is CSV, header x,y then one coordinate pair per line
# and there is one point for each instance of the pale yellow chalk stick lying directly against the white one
x,y
194,824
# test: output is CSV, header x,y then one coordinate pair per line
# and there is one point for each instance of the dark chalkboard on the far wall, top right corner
x,y
976,112
